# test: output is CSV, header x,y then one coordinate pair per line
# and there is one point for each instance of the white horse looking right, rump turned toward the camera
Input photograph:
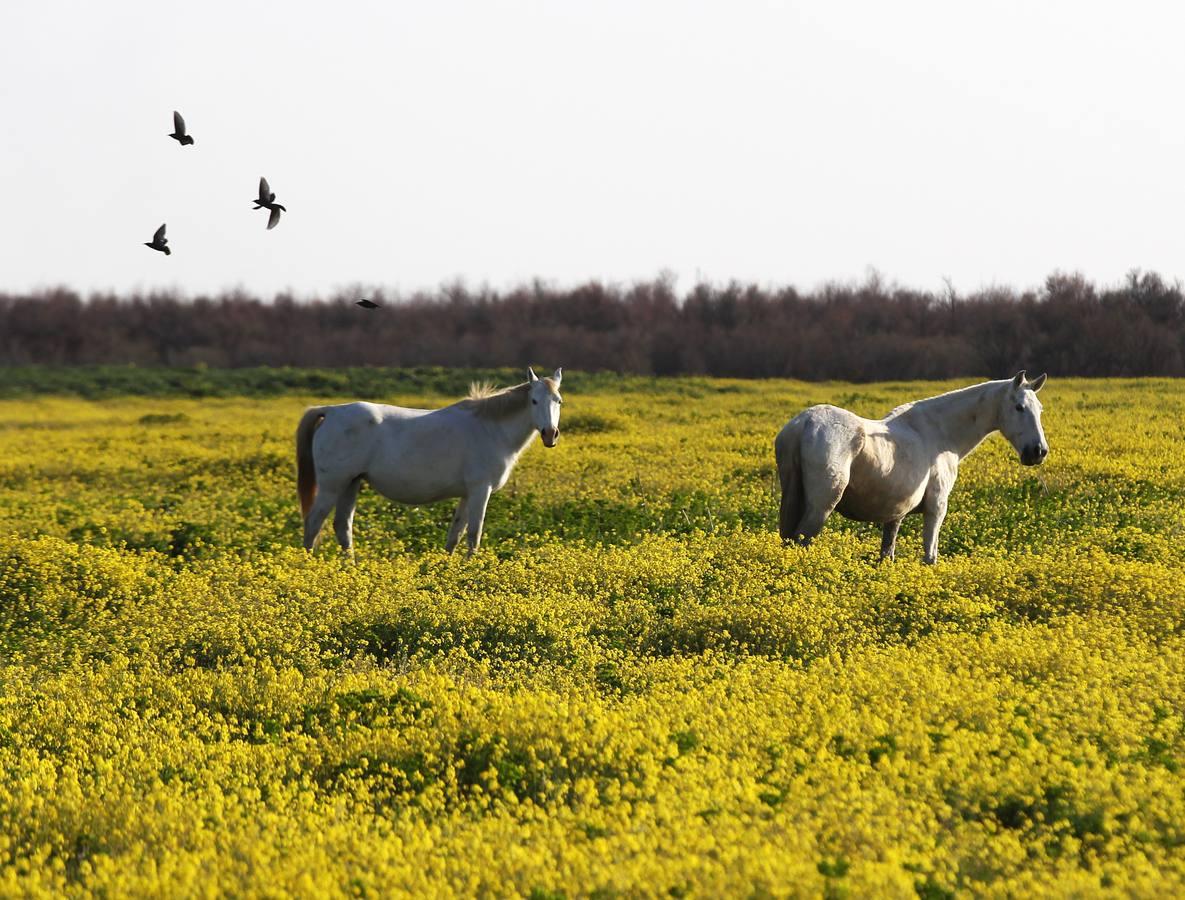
x,y
881,471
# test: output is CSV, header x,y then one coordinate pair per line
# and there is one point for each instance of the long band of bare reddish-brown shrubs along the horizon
x,y
853,333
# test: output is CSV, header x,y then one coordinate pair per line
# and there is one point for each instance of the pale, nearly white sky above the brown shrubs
x,y
414,144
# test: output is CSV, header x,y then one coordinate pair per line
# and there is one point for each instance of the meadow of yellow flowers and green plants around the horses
x,y
635,690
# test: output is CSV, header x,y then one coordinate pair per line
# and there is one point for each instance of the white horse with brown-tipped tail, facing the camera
x,y
421,456
